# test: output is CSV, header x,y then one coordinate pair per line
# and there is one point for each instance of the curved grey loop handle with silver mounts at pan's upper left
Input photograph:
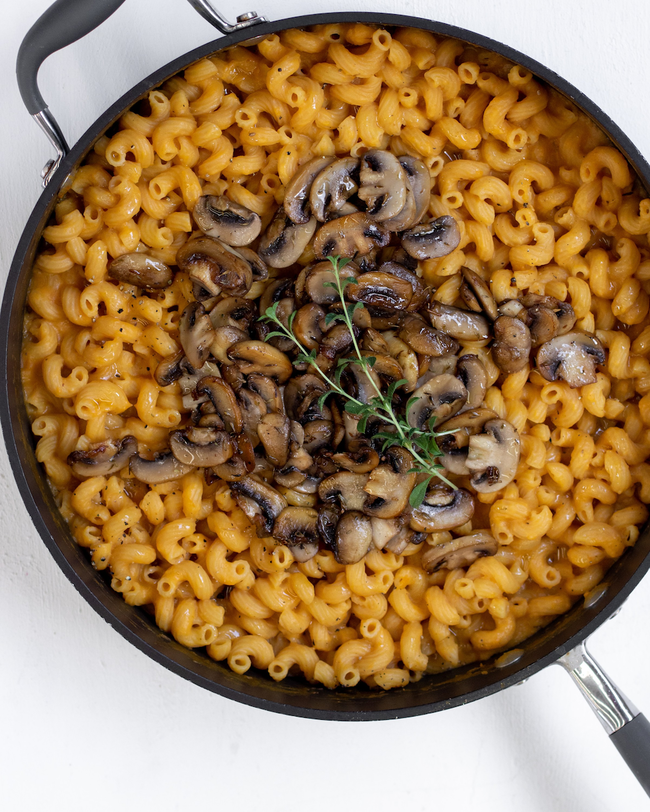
x,y
65,22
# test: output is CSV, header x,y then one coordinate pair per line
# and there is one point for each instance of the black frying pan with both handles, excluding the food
x,y
562,641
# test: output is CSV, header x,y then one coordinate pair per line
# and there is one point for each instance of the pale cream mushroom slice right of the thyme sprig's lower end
x,y
493,456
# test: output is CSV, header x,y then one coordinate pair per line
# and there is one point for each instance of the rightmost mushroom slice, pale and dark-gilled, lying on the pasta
x,y
572,357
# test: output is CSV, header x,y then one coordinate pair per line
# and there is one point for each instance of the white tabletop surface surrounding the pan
x,y
88,722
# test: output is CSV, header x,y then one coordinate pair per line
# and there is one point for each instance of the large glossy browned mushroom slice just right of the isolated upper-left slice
x,y
215,266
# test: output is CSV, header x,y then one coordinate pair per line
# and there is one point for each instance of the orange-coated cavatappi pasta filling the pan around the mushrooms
x,y
543,207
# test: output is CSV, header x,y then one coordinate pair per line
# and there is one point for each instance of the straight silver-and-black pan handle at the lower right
x,y
628,729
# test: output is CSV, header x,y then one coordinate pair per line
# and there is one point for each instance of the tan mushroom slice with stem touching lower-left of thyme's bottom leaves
x,y
390,484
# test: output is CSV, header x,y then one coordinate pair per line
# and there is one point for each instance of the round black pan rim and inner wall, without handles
x,y
291,696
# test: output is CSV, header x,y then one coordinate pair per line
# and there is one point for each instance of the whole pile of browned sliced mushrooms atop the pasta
x,y
302,472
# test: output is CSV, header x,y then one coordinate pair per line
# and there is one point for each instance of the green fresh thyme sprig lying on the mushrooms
x,y
421,444
